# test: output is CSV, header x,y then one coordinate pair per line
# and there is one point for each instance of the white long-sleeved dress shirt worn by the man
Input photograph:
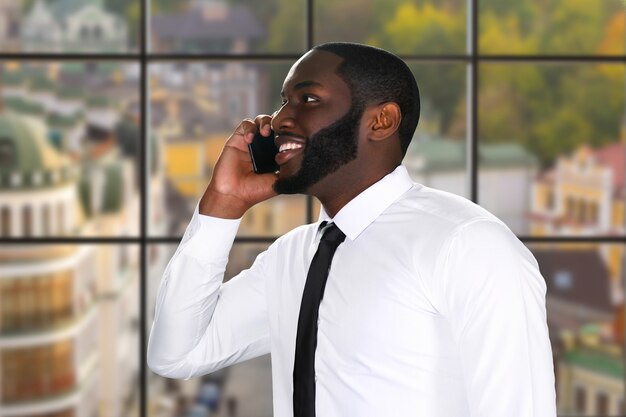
x,y
432,308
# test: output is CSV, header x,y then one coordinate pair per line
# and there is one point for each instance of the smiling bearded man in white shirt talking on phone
x,y
431,306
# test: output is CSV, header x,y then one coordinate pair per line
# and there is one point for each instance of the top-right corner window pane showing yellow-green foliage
x,y
551,27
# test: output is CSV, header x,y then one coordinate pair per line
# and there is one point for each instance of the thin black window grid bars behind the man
x,y
472,59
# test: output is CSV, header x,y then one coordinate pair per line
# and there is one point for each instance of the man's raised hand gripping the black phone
x,y
234,186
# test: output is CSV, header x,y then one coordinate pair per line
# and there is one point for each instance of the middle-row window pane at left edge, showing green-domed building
x,y
69,133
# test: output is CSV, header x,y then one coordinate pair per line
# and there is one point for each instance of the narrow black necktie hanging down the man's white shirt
x,y
306,338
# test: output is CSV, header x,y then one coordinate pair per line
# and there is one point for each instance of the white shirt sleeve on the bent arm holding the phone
x,y
201,324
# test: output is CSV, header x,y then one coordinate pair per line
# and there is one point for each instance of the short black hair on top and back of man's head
x,y
377,76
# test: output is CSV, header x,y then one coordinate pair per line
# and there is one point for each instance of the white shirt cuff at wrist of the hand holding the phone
x,y
209,237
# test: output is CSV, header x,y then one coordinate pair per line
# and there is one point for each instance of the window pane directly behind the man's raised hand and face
x,y
194,108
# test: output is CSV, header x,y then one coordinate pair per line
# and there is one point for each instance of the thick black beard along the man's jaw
x,y
325,152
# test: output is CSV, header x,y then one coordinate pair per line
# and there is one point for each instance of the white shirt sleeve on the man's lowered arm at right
x,y
495,300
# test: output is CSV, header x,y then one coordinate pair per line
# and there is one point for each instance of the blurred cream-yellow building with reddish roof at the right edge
x,y
583,195
